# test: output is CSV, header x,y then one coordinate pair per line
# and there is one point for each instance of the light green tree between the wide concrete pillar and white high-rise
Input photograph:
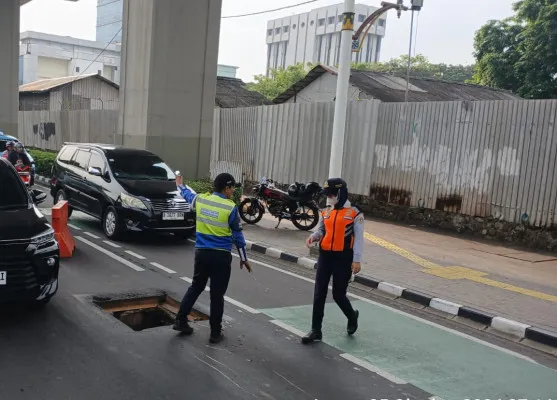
x,y
279,80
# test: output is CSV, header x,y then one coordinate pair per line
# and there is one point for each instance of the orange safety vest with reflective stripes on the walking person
x,y
339,229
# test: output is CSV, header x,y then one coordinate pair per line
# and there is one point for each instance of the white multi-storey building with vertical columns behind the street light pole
x,y
315,37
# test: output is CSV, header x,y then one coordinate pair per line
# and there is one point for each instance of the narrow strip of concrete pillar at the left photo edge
x,y
9,66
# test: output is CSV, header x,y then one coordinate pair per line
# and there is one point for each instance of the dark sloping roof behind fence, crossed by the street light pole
x,y
384,88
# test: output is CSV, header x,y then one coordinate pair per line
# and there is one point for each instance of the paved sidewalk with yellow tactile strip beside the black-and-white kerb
x,y
506,282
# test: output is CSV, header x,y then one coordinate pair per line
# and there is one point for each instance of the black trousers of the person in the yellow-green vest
x,y
209,264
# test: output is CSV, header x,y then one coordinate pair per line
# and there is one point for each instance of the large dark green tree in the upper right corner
x,y
519,53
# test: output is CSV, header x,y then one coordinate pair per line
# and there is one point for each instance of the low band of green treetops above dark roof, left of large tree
x,y
420,67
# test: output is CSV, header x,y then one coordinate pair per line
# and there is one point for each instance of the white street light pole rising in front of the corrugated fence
x,y
341,99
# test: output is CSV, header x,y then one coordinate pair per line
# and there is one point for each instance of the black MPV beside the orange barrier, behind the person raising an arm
x,y
127,189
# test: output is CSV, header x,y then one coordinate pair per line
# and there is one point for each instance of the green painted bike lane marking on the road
x,y
433,359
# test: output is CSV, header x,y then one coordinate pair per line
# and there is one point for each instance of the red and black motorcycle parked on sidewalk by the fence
x,y
299,204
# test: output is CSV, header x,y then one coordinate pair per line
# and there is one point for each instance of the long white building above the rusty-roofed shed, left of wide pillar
x,y
45,56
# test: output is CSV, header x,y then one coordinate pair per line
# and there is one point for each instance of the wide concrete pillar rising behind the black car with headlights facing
x,y
168,82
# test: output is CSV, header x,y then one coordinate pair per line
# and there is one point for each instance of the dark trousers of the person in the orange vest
x,y
339,266
